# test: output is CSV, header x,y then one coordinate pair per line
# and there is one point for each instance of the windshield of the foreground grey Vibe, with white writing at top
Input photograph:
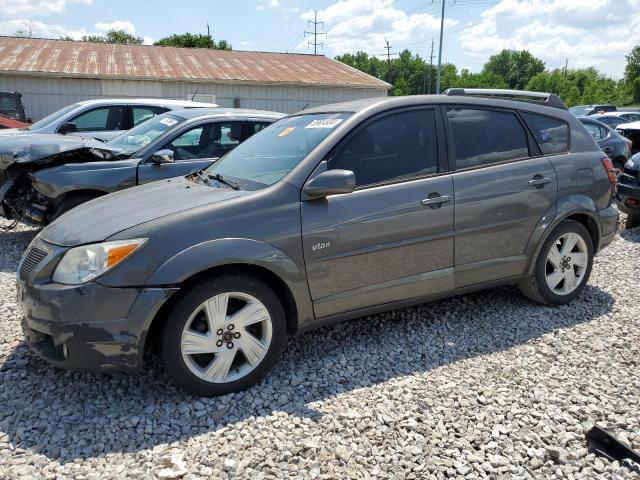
x,y
272,153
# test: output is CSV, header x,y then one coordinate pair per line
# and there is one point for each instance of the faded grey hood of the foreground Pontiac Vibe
x,y
104,217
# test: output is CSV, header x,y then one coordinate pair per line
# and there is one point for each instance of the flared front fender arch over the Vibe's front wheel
x,y
240,251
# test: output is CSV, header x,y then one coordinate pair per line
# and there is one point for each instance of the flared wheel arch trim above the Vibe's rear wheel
x,y
564,208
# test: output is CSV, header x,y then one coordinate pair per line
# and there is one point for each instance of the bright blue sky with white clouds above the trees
x,y
581,32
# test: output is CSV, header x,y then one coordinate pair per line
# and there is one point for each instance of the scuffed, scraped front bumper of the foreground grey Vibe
x,y
89,327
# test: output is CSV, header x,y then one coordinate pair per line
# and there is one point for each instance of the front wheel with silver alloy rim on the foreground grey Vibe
x,y
223,335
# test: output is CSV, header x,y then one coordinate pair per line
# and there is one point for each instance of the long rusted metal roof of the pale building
x,y
145,62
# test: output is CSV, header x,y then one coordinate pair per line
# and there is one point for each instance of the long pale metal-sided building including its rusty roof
x,y
53,73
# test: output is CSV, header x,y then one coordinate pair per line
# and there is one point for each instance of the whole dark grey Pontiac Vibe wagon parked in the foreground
x,y
333,213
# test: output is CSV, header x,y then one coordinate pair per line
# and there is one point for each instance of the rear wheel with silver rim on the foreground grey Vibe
x,y
563,265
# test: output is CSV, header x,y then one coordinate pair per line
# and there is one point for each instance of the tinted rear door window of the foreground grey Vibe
x,y
482,137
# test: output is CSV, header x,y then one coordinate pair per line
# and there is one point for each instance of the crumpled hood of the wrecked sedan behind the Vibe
x,y
39,148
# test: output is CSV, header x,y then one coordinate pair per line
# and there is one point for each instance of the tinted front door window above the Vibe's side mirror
x,y
395,147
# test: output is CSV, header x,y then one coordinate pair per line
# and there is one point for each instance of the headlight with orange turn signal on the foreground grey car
x,y
81,264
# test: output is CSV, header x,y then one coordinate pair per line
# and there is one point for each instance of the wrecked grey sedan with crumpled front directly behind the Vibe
x,y
44,176
